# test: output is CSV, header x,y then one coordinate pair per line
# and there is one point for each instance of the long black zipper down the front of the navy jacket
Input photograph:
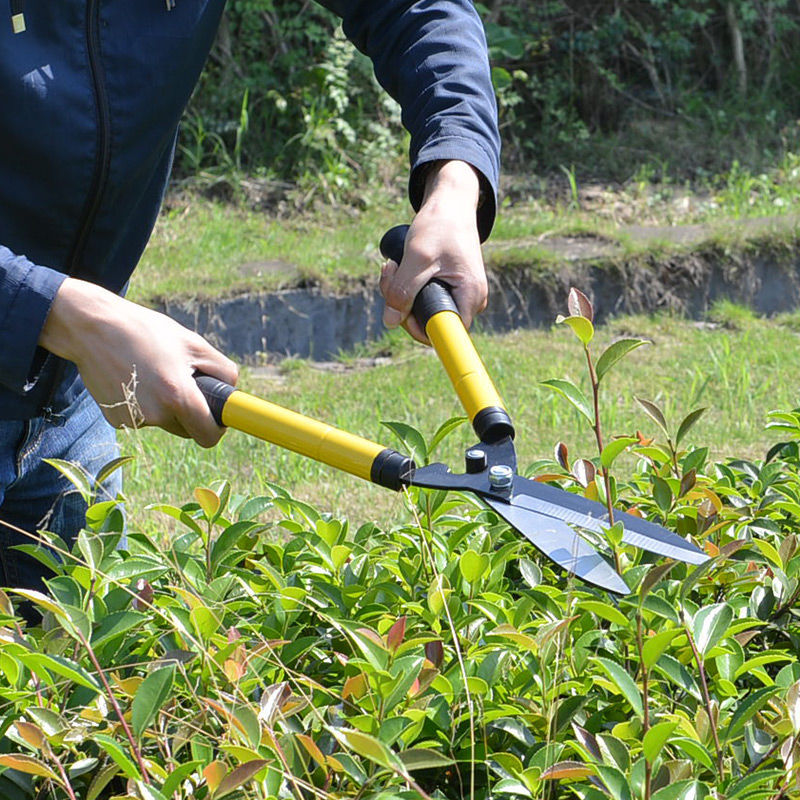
x,y
102,164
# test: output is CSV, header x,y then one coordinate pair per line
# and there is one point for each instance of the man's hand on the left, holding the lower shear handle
x,y
111,339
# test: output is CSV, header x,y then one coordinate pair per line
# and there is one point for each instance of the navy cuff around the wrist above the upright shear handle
x,y
449,148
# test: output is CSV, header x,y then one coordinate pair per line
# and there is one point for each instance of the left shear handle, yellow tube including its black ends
x,y
304,435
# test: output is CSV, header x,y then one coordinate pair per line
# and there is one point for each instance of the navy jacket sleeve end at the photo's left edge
x,y
26,294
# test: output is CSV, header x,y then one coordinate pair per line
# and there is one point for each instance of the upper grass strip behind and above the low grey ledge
x,y
204,248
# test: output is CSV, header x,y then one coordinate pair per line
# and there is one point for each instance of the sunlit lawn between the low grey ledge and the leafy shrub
x,y
738,371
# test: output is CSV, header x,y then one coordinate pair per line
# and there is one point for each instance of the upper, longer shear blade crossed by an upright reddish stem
x,y
593,516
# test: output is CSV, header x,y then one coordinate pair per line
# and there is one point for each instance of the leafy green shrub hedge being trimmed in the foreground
x,y
260,648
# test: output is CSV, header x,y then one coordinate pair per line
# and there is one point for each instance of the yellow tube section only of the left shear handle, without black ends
x,y
301,434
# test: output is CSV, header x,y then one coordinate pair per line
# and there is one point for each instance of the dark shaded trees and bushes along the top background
x,y
286,95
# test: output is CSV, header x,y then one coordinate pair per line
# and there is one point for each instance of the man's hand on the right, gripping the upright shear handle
x,y
442,243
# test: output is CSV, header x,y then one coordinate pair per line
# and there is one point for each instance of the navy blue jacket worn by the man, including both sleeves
x,y
90,99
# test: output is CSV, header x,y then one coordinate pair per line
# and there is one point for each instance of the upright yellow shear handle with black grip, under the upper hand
x,y
436,311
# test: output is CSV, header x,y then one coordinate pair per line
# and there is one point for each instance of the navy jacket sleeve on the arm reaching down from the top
x,y
431,56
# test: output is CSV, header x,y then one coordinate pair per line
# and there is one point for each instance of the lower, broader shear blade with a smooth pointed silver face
x,y
562,545
